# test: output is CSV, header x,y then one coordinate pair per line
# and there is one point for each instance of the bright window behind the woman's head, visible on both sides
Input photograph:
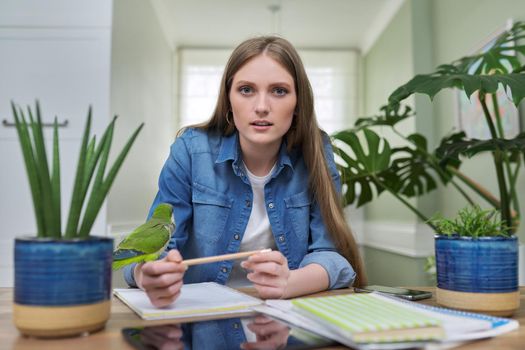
x,y
332,73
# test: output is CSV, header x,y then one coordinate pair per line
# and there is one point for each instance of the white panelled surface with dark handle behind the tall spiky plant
x,y
56,51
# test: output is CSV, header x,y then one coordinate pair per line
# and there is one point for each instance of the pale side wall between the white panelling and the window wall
x,y
141,91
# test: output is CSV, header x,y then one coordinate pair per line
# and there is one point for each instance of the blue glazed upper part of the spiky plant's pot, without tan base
x,y
52,272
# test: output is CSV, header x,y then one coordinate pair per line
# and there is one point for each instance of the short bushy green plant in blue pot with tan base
x,y
476,262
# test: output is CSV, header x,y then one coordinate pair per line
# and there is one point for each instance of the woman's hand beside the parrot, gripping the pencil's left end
x,y
161,279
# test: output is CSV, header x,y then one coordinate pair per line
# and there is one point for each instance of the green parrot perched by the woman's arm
x,y
147,241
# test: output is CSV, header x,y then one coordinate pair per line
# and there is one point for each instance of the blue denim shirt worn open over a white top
x,y
205,181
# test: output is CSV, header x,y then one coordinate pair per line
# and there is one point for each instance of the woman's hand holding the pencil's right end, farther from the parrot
x,y
269,273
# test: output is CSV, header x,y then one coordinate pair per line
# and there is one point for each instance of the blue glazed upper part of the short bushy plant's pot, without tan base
x,y
482,265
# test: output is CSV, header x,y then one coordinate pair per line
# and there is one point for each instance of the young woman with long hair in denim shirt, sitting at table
x,y
259,174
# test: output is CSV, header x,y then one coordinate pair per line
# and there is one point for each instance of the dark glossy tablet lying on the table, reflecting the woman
x,y
258,332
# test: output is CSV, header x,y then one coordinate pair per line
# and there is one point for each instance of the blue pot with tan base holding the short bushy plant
x,y
479,275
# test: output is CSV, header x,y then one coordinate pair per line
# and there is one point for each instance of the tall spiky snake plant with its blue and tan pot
x,y
63,275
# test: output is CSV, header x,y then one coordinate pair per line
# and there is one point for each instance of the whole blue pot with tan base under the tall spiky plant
x,y
62,287
